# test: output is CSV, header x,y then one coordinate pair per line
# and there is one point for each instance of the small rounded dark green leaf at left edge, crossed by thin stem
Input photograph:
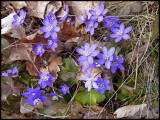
x,y
6,52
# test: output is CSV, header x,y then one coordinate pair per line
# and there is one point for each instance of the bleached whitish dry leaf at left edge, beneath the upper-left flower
x,y
9,29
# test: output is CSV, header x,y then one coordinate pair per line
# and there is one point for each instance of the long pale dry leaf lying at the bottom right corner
x,y
129,110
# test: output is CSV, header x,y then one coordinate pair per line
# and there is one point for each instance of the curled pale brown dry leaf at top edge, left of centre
x,y
53,6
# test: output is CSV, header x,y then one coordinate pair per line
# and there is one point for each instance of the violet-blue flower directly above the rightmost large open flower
x,y
111,21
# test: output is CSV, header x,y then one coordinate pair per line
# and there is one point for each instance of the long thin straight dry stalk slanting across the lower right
x,y
125,81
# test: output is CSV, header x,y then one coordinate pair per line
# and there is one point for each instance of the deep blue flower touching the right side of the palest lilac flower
x,y
102,85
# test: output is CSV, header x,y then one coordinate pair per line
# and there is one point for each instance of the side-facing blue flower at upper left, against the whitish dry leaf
x,y
19,19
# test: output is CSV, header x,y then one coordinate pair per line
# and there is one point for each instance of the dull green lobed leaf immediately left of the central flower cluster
x,y
69,66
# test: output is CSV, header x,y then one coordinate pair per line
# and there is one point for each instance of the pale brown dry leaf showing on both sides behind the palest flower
x,y
96,72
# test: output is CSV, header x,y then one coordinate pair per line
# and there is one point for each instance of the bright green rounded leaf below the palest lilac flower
x,y
83,97
